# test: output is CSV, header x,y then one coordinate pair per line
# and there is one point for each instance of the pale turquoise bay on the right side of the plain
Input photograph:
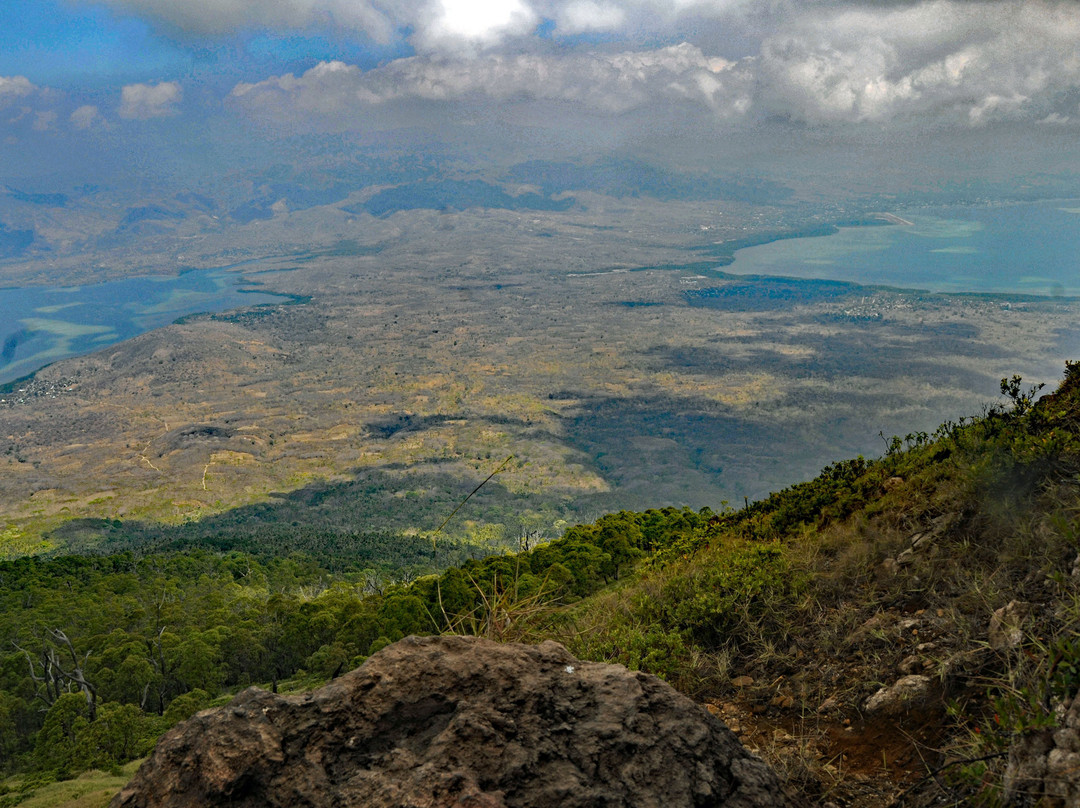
x,y
1019,249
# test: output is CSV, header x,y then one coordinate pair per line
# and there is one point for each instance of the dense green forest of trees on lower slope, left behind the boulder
x,y
102,654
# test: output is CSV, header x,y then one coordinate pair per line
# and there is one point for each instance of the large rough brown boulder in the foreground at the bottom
x,y
463,722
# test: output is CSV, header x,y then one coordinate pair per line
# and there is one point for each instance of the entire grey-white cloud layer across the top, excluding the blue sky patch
x,y
830,65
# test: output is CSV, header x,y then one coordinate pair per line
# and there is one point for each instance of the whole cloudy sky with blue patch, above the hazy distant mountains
x,y
195,87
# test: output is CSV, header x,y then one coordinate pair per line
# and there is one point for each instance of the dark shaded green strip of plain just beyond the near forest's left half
x,y
358,523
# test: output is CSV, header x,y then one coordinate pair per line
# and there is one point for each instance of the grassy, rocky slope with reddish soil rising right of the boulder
x,y
826,592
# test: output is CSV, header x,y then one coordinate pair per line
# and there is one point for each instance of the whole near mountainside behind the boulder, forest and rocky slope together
x,y
895,631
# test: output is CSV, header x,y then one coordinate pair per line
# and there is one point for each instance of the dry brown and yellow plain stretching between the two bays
x,y
598,358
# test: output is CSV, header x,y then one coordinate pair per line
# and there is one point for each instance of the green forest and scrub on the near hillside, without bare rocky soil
x,y
100,654
